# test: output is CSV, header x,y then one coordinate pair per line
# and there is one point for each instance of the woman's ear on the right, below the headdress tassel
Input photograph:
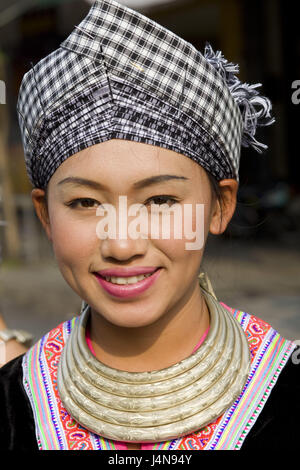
x,y
224,208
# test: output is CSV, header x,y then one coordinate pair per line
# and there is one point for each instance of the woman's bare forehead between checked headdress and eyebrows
x,y
126,162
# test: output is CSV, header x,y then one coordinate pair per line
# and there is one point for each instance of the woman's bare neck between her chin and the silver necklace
x,y
169,340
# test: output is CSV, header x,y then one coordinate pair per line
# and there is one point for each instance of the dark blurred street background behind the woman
x,y
255,266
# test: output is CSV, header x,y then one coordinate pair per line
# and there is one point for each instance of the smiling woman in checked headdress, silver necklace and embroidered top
x,y
126,113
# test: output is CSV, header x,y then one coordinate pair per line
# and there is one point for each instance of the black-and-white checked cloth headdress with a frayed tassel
x,y
120,75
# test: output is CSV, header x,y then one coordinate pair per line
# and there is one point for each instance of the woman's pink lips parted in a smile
x,y
129,290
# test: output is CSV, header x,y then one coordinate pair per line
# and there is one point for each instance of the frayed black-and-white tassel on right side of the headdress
x,y
255,109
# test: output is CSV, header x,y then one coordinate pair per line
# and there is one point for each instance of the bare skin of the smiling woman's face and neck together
x,y
80,254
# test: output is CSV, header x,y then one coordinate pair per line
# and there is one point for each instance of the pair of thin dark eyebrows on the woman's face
x,y
138,185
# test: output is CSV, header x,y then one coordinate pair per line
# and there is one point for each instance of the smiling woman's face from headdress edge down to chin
x,y
135,170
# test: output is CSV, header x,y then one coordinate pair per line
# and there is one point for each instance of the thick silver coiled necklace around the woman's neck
x,y
159,405
